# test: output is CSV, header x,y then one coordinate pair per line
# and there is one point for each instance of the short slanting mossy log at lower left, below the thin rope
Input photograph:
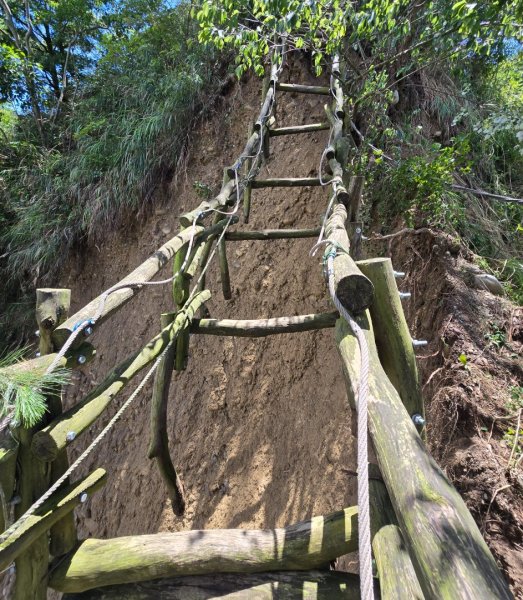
x,y
55,508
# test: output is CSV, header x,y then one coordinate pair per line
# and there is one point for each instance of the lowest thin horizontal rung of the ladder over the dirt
x,y
264,327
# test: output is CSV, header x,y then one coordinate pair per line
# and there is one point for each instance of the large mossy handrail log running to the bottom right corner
x,y
449,555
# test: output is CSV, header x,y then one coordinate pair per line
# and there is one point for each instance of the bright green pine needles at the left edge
x,y
23,392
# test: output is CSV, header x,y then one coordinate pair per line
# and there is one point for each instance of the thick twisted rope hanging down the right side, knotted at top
x,y
364,542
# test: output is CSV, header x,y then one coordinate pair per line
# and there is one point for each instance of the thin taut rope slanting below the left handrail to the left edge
x,y
88,450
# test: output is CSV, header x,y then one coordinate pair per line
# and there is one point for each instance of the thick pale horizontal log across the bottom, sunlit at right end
x,y
303,546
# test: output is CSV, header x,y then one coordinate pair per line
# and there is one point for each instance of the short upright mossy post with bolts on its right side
x,y
392,334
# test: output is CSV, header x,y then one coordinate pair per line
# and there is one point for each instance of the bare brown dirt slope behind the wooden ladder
x,y
260,429
